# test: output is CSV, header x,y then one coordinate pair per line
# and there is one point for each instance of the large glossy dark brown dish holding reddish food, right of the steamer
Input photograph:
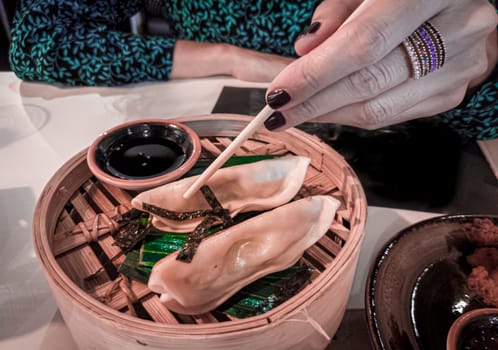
x,y
417,285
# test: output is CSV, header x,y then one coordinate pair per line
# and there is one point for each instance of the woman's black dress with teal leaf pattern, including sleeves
x,y
79,42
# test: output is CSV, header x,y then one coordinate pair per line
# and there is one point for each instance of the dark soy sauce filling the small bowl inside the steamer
x,y
144,158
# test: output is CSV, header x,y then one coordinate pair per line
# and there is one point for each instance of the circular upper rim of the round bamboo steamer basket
x,y
286,310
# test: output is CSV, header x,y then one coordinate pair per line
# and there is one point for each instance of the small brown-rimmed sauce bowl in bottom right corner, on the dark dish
x,y
474,330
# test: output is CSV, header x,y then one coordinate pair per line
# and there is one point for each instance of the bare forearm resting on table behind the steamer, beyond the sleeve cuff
x,y
195,59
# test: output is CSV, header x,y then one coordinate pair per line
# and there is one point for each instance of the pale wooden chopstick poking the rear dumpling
x,y
247,132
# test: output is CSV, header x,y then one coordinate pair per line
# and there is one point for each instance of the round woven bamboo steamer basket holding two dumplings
x,y
72,240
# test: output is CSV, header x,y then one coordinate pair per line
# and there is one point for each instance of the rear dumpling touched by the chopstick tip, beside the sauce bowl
x,y
249,187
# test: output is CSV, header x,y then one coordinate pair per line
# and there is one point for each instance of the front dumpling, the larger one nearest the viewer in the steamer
x,y
231,259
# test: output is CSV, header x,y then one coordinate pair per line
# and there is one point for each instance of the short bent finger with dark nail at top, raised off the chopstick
x,y
328,16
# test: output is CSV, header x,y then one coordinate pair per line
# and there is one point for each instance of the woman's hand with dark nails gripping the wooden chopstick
x,y
355,72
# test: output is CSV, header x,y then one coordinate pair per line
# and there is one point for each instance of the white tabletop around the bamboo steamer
x,y
42,126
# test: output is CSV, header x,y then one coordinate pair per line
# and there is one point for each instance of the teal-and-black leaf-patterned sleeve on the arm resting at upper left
x,y
76,42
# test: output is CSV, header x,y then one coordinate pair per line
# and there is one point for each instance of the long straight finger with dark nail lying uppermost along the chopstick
x,y
370,33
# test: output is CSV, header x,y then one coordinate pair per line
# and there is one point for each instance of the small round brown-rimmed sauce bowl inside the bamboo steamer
x,y
143,154
